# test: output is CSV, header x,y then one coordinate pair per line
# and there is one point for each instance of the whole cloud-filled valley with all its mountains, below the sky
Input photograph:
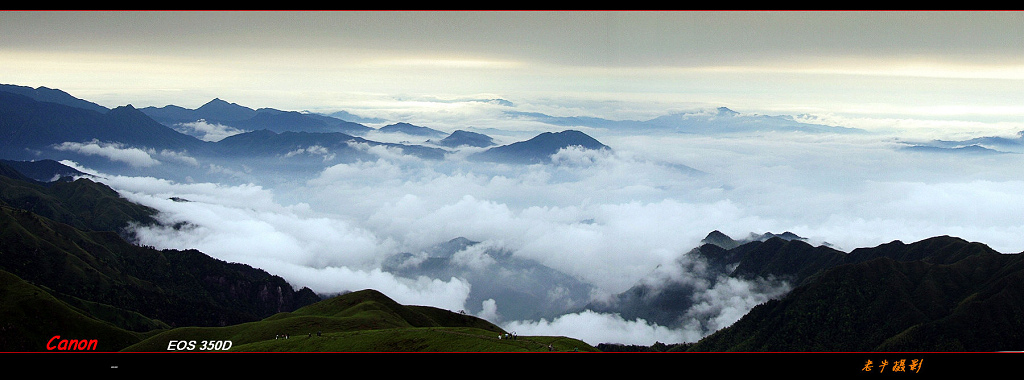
x,y
706,230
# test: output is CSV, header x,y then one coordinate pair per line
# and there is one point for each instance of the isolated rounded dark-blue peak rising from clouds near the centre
x,y
539,149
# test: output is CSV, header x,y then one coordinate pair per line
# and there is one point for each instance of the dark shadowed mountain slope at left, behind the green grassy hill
x,y
83,263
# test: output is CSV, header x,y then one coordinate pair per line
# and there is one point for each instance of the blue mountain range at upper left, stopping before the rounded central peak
x,y
31,129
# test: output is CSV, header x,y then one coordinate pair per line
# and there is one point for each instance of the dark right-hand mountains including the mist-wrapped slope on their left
x,y
897,297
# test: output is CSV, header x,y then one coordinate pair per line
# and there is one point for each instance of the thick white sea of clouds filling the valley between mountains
x,y
608,218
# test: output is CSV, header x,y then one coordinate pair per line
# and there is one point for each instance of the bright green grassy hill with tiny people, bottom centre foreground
x,y
364,322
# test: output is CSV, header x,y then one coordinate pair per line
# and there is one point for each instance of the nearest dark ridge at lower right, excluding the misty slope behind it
x,y
941,294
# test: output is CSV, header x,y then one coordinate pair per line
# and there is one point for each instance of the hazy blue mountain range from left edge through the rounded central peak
x,y
37,122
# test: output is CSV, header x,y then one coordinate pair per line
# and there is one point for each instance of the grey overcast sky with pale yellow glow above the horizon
x,y
925,65
